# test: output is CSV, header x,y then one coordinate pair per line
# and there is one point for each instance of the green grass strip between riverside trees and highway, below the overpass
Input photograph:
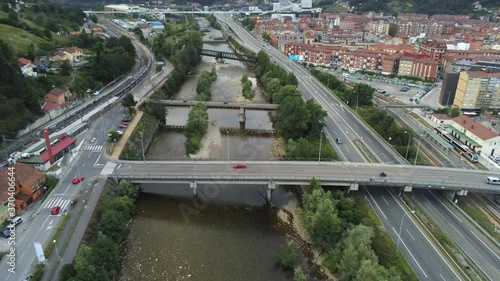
x,y
382,243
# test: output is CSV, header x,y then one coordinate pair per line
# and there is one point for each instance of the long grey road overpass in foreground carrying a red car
x,y
272,173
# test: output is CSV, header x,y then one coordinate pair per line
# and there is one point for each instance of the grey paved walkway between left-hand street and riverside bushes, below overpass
x,y
72,235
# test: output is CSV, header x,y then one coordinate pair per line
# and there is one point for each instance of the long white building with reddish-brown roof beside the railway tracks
x,y
475,135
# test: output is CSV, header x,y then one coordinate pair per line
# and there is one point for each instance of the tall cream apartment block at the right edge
x,y
477,91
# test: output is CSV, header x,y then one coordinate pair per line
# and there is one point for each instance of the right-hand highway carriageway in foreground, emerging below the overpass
x,y
484,254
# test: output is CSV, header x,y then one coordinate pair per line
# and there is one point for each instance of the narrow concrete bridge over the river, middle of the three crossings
x,y
223,105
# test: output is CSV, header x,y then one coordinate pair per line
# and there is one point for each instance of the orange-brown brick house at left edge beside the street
x,y
29,185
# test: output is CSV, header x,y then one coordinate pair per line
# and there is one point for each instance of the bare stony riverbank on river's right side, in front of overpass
x,y
290,214
